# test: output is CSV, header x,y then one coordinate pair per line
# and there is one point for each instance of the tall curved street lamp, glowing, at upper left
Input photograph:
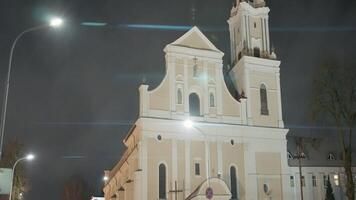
x,y
55,22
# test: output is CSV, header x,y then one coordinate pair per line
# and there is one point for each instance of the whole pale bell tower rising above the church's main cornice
x,y
255,70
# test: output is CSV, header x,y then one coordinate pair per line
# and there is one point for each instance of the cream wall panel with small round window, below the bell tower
x,y
268,169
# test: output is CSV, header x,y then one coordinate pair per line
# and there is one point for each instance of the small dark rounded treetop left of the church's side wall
x,y
76,188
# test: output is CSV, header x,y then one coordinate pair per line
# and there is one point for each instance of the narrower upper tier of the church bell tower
x,y
249,30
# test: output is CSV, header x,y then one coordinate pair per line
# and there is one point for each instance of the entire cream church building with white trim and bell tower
x,y
194,139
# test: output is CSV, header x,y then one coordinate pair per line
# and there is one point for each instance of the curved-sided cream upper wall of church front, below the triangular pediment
x,y
210,78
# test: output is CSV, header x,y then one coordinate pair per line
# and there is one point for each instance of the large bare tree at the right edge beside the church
x,y
335,97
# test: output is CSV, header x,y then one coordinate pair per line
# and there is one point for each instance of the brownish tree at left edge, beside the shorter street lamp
x,y
14,150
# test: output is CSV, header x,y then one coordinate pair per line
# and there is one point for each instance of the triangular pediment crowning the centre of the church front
x,y
194,38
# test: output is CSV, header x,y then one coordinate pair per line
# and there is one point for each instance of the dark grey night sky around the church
x,y
74,92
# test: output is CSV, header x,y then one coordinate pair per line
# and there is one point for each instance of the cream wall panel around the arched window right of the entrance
x,y
233,155
